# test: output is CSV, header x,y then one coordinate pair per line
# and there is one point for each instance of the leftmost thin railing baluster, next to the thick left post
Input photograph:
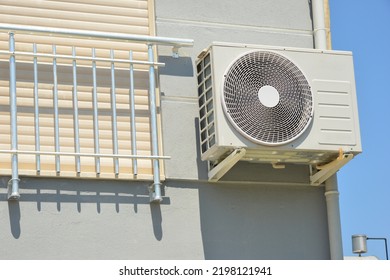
x,y
36,111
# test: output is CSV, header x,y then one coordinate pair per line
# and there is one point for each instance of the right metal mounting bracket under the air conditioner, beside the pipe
x,y
327,170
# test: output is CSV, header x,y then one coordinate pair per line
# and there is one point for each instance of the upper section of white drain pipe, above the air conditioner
x,y
319,30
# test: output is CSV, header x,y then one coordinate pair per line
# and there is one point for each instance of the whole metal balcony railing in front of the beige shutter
x,y
73,60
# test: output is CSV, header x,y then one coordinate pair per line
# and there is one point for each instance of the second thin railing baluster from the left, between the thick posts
x,y
56,114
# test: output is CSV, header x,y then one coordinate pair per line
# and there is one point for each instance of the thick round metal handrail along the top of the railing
x,y
154,40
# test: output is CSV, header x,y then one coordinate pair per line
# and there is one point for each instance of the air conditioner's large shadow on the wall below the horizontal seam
x,y
263,222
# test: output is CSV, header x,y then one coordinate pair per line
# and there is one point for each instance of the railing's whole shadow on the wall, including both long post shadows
x,y
79,193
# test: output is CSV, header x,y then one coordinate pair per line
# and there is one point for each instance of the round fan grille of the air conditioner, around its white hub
x,y
269,125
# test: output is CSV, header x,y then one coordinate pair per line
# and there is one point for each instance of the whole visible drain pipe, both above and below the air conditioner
x,y
331,187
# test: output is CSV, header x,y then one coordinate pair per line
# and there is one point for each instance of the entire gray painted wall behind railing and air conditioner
x,y
274,214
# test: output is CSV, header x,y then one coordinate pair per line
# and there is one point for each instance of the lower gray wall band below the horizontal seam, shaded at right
x,y
90,219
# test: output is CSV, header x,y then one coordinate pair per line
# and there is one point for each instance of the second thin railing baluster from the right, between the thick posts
x,y
114,116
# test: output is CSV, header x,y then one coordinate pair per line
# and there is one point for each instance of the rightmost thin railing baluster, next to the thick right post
x,y
132,116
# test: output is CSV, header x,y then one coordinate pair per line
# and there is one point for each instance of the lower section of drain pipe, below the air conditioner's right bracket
x,y
334,223
